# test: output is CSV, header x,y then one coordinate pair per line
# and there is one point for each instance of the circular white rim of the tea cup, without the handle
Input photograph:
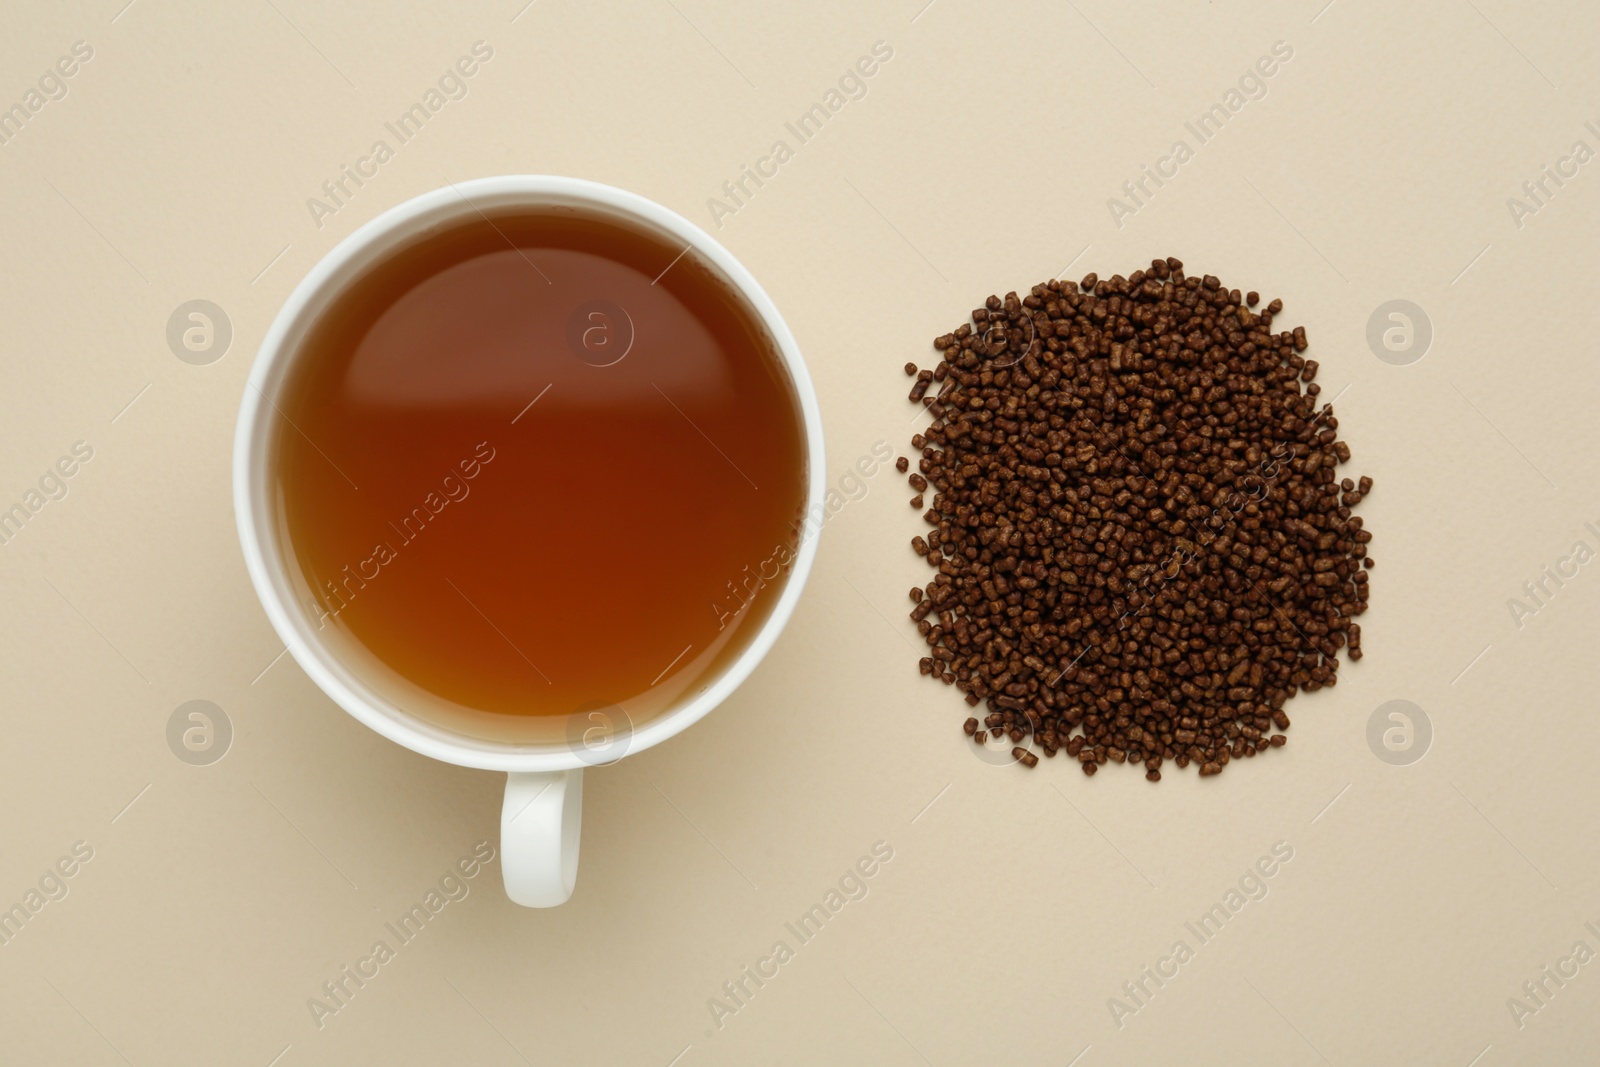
x,y
252,438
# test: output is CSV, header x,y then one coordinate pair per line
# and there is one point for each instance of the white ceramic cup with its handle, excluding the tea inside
x,y
542,817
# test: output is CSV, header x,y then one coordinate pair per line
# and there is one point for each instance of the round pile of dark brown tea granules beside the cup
x,y
1142,543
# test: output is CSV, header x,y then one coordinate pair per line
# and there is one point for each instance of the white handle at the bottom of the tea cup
x,y
540,826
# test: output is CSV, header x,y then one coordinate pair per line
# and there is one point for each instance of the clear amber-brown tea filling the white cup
x,y
535,465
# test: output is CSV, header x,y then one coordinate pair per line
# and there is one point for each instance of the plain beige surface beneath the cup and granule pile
x,y
1378,167
